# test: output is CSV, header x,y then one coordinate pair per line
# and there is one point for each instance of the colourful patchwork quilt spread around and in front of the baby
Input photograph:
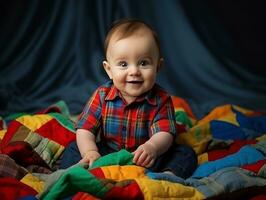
x,y
230,143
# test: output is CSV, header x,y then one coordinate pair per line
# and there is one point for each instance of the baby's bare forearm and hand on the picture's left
x,y
87,146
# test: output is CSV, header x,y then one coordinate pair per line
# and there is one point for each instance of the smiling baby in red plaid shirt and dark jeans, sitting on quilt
x,y
131,111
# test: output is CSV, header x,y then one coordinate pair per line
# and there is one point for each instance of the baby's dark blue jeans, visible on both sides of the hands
x,y
179,159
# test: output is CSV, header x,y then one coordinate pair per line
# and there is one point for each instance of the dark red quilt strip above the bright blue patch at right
x,y
234,147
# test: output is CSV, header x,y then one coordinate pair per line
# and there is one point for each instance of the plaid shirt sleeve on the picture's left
x,y
90,117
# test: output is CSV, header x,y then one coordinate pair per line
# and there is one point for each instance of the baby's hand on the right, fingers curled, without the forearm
x,y
145,155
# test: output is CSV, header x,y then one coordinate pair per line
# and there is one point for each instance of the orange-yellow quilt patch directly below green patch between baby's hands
x,y
119,173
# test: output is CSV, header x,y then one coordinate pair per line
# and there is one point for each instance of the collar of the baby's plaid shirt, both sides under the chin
x,y
149,96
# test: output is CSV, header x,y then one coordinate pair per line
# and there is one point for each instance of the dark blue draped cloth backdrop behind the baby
x,y
52,50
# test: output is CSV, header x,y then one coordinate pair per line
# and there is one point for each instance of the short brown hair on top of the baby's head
x,y
127,27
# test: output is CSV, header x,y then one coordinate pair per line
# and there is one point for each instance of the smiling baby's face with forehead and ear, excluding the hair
x,y
132,64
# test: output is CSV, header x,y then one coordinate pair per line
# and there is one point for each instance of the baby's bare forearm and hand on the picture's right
x,y
146,153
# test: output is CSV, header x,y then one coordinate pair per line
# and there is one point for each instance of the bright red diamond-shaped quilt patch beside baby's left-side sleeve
x,y
54,131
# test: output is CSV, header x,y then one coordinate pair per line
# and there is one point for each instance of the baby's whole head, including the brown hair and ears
x,y
133,57
